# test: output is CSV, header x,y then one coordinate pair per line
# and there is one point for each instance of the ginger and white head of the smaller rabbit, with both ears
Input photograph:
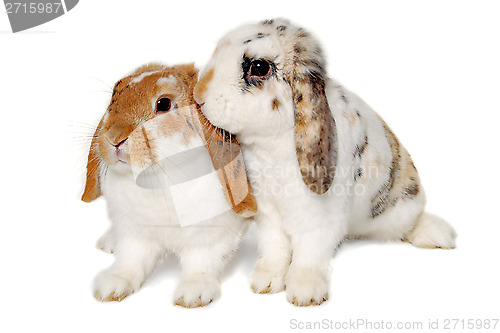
x,y
153,112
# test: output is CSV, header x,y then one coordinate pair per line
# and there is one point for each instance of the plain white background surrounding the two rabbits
x,y
430,68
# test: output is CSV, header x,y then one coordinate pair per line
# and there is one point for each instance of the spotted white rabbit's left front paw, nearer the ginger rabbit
x,y
268,280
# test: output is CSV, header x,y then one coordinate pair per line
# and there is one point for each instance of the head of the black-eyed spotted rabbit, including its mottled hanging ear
x,y
265,78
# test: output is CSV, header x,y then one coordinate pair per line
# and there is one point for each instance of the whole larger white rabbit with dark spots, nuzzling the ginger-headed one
x,y
323,165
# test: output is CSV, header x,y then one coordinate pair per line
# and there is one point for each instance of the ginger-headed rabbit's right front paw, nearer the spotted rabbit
x,y
197,291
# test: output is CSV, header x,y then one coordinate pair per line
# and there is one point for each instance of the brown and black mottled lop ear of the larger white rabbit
x,y
315,131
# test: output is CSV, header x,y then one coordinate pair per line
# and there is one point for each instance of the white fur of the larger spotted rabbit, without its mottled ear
x,y
296,225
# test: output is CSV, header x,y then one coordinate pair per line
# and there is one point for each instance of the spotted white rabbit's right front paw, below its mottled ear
x,y
306,286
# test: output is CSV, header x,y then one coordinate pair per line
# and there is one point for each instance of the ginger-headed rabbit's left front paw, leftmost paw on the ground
x,y
114,285
